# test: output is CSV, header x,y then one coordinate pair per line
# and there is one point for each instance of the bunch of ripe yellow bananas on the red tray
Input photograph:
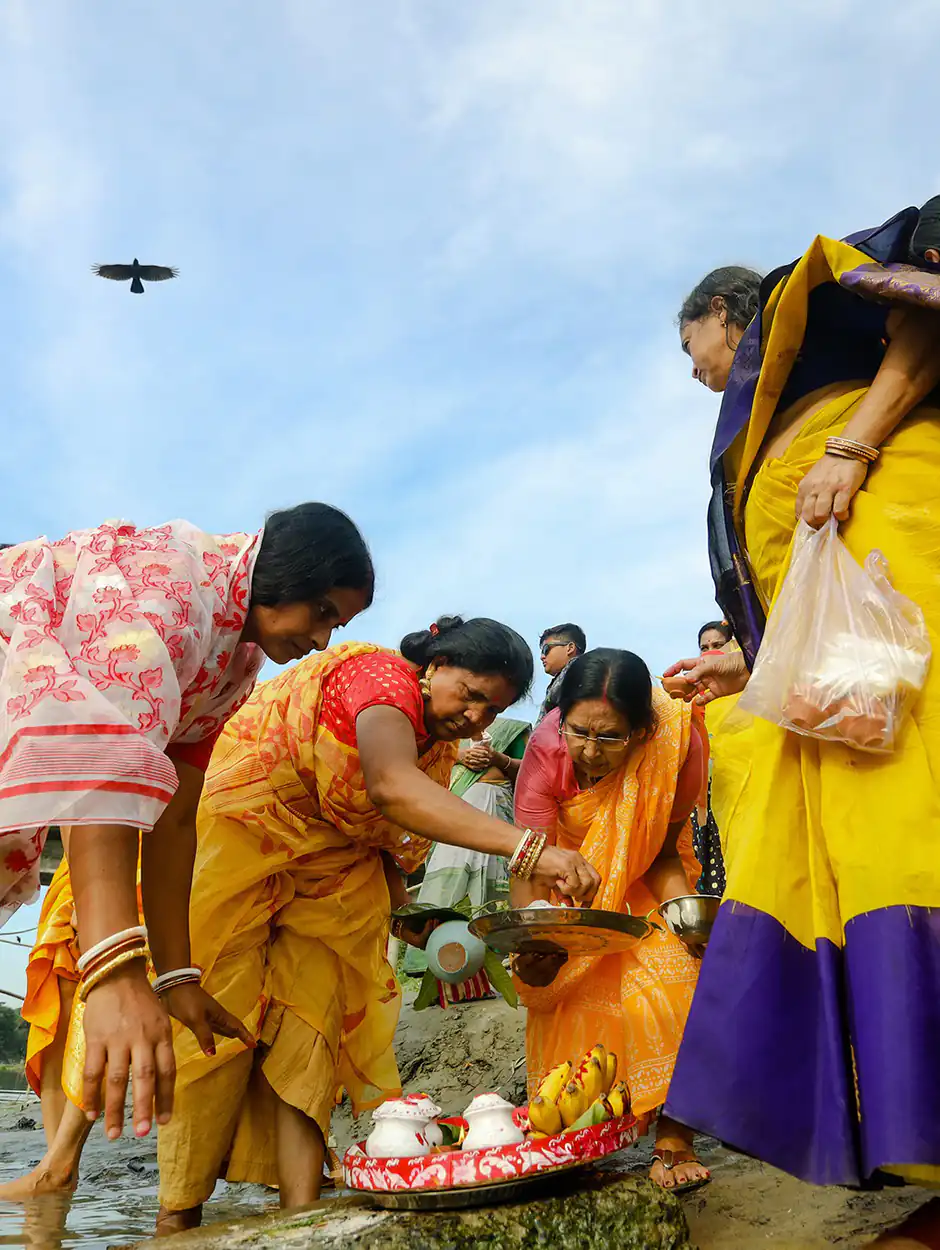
x,y
576,1098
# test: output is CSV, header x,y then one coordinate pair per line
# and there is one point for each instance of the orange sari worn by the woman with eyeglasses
x,y
634,1003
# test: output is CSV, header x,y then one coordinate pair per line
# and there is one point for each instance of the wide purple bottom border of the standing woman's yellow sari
x,y
778,1033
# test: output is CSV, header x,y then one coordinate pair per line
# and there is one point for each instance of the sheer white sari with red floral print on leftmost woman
x,y
114,643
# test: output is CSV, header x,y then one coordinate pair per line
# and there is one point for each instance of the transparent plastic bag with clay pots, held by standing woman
x,y
844,654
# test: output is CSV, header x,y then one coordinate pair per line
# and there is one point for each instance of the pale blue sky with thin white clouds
x,y
431,261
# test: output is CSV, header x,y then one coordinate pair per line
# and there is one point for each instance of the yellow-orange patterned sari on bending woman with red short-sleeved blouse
x,y
291,922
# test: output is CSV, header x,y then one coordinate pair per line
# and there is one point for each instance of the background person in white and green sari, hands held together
x,y
484,777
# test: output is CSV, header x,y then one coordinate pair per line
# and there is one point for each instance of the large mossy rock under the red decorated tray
x,y
609,1213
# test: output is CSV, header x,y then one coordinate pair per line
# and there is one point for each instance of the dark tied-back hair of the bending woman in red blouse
x,y
481,646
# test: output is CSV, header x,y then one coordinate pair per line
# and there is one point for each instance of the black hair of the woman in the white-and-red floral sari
x,y
306,552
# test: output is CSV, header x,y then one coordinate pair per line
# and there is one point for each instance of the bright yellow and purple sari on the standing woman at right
x,y
814,1036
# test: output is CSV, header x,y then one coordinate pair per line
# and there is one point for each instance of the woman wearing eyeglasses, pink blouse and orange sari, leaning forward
x,y
614,772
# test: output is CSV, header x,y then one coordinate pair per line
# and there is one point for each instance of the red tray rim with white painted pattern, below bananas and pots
x,y
499,1166
